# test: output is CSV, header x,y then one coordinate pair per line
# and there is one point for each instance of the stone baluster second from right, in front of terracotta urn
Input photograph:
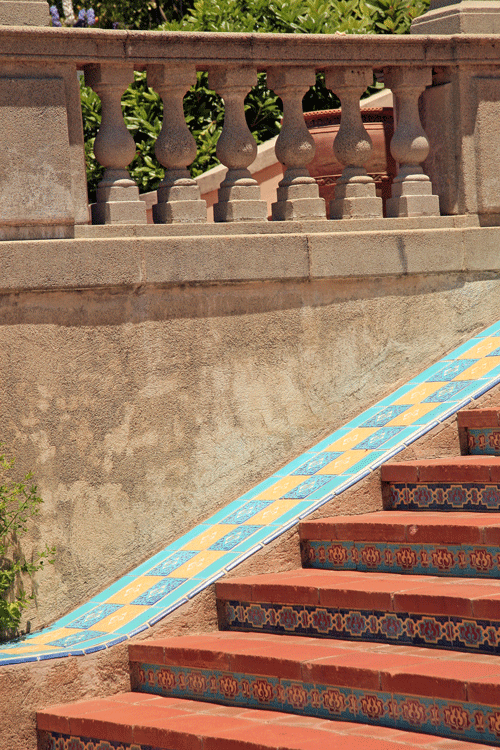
x,y
355,195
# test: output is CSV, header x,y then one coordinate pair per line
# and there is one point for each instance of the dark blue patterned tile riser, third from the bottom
x,y
454,633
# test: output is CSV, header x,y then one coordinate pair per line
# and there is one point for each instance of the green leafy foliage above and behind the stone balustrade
x,y
204,110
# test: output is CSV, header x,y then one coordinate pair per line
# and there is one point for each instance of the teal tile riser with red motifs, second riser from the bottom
x,y
440,717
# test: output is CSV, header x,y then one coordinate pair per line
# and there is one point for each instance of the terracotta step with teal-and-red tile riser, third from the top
x,y
422,542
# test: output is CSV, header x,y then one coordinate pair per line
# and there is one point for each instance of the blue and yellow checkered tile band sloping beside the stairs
x,y
194,561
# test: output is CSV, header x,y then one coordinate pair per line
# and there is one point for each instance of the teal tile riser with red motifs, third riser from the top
x,y
419,559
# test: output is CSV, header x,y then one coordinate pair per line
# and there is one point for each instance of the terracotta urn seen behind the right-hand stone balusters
x,y
325,168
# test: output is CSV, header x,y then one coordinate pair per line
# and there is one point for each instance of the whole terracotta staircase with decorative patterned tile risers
x,y
388,637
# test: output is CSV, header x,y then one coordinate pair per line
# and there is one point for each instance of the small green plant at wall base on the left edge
x,y
19,502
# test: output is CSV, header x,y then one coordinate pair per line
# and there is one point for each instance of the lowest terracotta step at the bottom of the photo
x,y
159,722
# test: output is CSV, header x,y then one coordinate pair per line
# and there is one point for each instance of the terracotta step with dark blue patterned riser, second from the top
x,y
445,484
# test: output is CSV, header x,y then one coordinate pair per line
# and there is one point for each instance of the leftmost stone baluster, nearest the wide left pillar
x,y
114,148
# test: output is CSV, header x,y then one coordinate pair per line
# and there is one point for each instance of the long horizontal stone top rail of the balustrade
x,y
321,51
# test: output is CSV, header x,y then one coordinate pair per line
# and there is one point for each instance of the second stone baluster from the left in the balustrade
x,y
178,194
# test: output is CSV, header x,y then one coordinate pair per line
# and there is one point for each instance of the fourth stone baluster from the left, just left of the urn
x,y
298,193
